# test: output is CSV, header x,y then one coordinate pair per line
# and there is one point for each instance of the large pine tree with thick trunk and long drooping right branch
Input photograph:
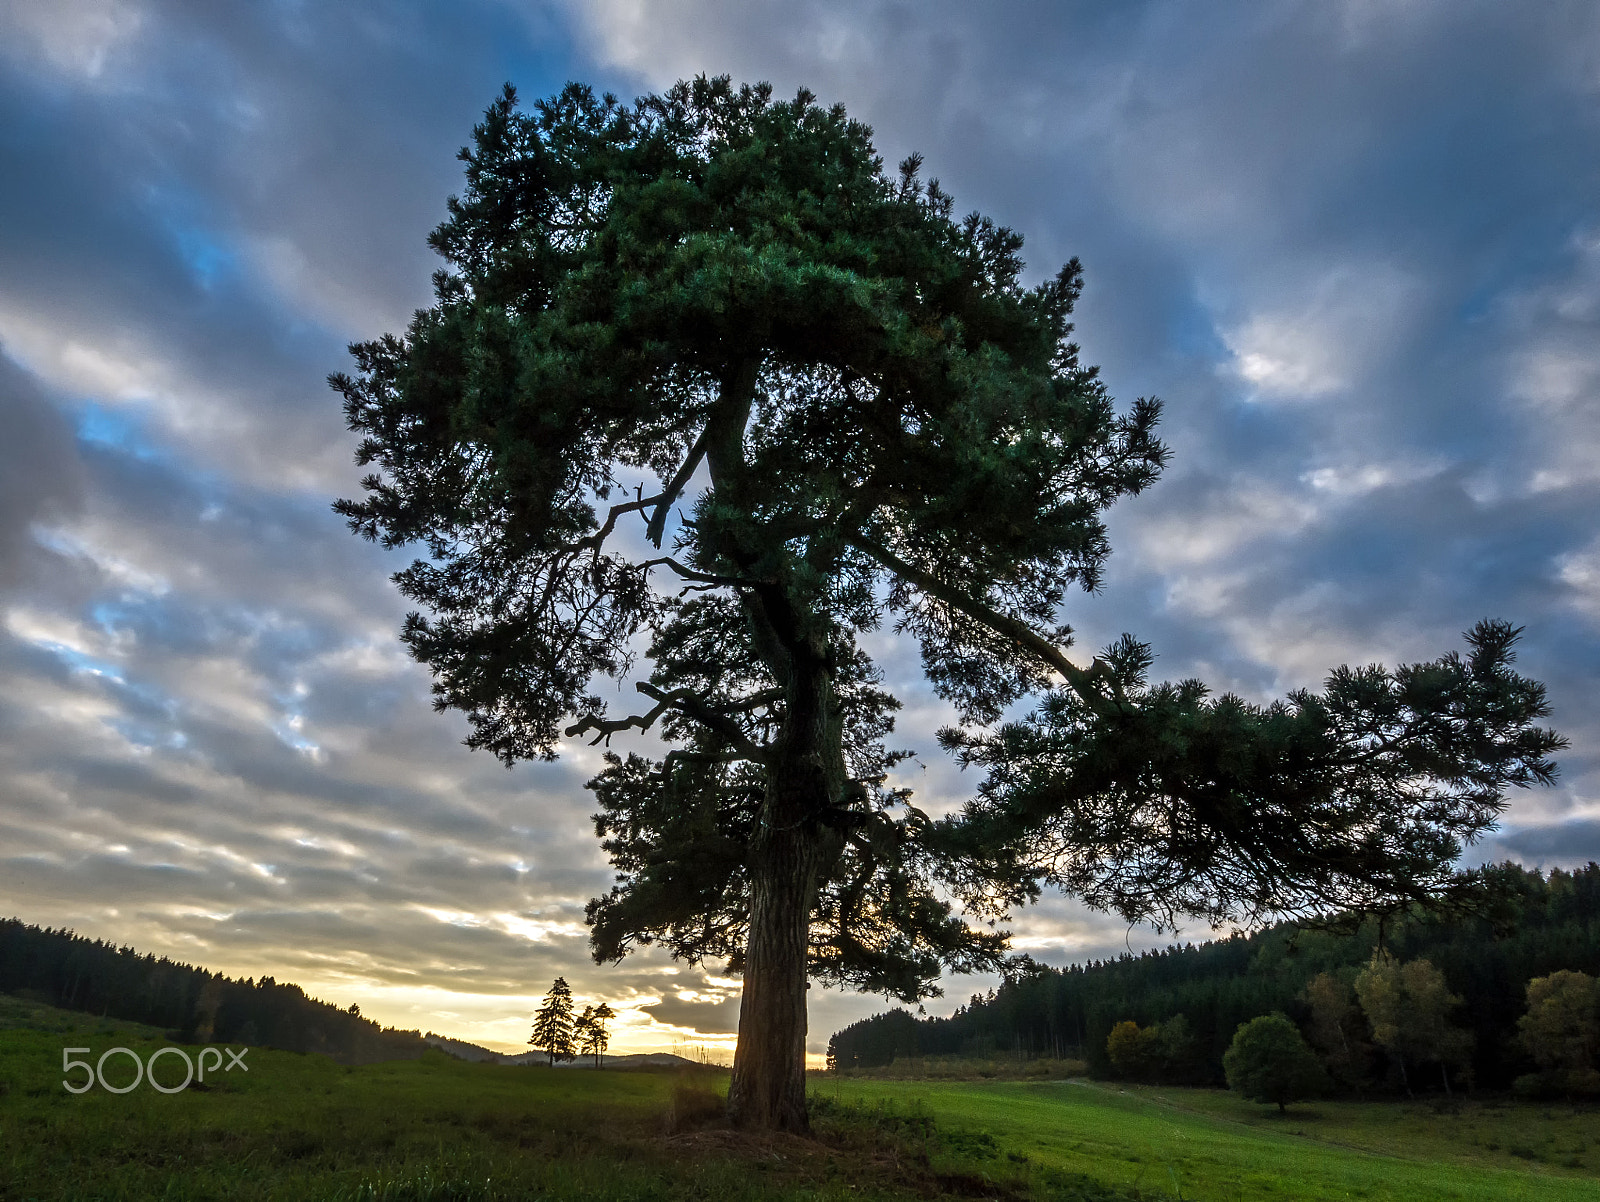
x,y
705,383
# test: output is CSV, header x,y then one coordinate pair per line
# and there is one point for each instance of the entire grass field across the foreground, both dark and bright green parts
x,y
303,1128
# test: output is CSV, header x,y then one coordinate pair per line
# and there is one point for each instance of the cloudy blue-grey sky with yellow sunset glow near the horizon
x,y
1353,244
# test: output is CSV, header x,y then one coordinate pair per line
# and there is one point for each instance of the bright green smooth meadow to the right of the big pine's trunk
x,y
1212,1145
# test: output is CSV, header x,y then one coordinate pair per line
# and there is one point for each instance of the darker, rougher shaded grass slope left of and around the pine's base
x,y
303,1128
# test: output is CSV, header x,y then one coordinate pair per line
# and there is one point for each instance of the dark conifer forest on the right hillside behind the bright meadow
x,y
1188,1001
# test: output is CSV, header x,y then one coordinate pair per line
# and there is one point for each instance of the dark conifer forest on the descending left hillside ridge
x,y
193,1004
